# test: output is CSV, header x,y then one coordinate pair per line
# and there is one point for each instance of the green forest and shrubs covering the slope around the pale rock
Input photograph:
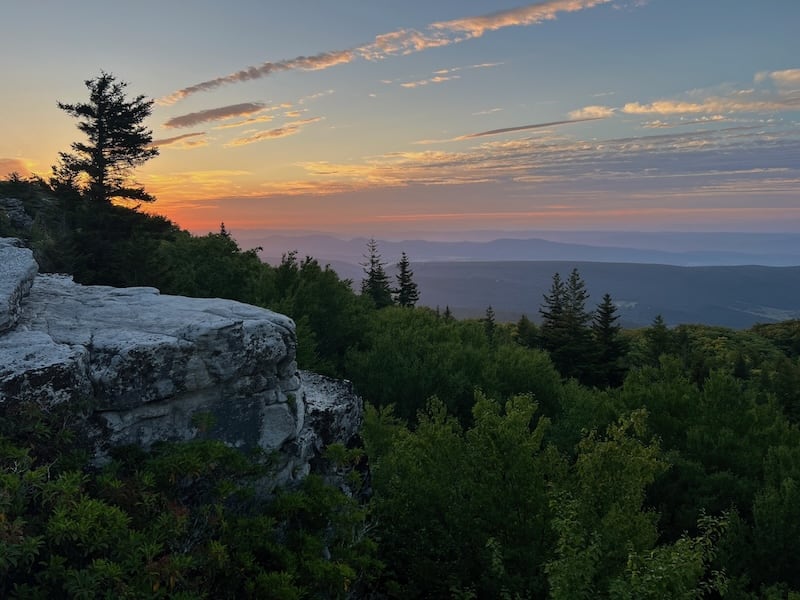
x,y
563,458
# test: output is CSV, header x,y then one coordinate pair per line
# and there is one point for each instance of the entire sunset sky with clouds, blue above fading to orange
x,y
381,117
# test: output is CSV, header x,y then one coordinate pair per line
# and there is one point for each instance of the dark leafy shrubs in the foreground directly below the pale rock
x,y
182,521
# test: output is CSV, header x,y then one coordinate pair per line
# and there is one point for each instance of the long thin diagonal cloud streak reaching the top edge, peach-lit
x,y
402,41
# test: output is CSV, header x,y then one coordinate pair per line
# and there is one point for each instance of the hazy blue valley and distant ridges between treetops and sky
x,y
718,278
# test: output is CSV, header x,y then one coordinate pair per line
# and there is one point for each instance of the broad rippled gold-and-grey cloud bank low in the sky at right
x,y
691,163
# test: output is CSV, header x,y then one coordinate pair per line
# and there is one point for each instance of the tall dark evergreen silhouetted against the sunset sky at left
x,y
118,142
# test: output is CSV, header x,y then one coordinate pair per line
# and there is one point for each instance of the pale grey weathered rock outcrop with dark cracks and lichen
x,y
146,367
